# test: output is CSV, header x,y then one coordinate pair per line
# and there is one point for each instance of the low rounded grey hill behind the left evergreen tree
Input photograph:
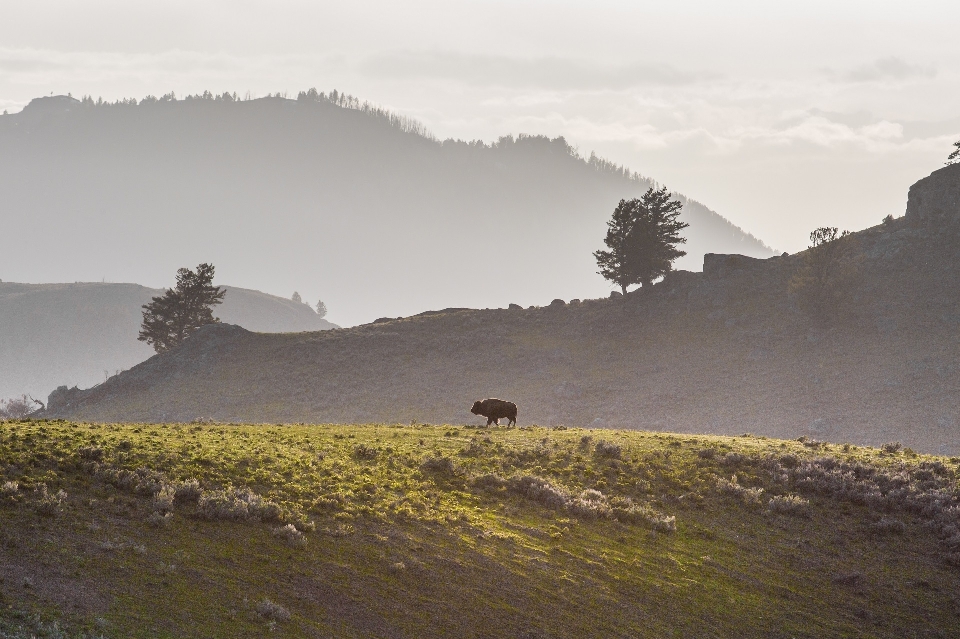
x,y
53,334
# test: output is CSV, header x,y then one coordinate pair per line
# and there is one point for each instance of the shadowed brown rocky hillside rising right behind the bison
x,y
726,351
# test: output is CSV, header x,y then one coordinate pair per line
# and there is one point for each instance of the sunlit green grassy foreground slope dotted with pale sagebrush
x,y
375,530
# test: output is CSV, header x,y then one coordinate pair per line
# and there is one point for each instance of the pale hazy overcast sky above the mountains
x,y
780,116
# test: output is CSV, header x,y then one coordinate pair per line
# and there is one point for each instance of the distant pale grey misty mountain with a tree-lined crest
x,y
304,195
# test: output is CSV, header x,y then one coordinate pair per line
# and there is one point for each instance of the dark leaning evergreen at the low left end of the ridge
x,y
169,318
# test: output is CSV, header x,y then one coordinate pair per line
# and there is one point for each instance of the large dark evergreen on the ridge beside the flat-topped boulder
x,y
641,237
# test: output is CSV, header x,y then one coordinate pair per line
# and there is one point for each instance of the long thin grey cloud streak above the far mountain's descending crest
x,y
554,73
